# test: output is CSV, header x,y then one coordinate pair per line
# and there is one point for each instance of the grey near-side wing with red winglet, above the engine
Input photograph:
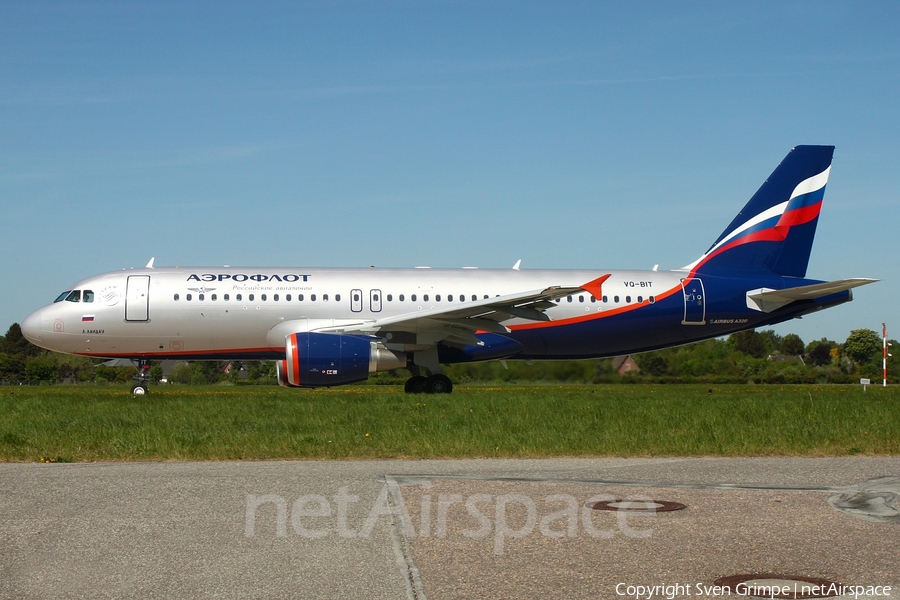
x,y
459,322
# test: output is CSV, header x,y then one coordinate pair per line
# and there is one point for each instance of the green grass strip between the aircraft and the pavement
x,y
75,424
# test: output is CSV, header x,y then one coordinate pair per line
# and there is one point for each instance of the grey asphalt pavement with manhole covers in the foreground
x,y
548,528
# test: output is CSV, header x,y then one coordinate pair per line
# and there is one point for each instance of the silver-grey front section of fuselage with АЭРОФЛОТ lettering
x,y
203,311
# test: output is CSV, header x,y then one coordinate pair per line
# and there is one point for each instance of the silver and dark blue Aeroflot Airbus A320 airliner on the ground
x,y
328,327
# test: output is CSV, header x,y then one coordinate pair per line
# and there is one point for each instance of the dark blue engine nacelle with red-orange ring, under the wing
x,y
329,359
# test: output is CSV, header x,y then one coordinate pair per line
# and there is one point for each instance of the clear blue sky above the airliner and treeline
x,y
569,135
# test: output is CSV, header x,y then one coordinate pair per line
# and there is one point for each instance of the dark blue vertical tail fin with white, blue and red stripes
x,y
774,232
